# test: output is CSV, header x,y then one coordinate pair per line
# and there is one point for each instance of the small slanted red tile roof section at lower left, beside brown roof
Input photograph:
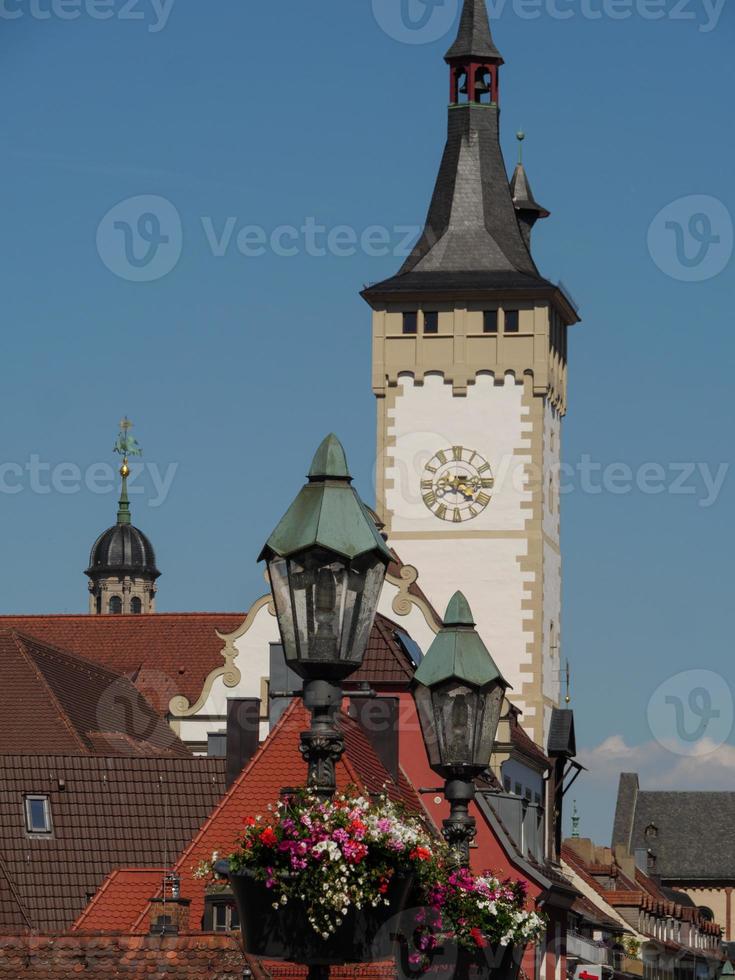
x,y
117,905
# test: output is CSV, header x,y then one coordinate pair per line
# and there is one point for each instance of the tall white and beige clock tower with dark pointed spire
x,y
470,375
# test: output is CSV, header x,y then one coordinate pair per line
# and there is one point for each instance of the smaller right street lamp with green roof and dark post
x,y
459,694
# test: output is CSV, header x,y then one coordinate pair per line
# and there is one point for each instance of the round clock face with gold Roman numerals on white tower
x,y
456,484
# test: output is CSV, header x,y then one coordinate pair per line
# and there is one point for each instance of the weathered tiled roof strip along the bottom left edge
x,y
109,958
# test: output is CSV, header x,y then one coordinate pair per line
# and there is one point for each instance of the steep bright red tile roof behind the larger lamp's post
x,y
278,764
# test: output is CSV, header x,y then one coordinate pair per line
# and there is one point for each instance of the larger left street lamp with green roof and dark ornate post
x,y
326,564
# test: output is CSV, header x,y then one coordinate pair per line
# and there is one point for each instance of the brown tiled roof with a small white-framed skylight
x,y
106,812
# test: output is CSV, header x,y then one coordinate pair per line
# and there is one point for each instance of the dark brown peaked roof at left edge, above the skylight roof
x,y
52,701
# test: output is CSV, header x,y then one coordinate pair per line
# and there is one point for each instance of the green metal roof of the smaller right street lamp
x,y
458,651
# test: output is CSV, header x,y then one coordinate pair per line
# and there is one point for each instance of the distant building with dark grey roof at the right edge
x,y
685,839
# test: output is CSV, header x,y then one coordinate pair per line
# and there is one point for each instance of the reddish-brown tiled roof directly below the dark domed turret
x,y
164,653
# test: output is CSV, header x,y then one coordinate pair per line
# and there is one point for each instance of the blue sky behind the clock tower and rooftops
x,y
234,366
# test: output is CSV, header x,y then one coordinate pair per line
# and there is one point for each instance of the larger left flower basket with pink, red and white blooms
x,y
320,881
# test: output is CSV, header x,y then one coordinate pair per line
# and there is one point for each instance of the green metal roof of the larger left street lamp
x,y
327,512
